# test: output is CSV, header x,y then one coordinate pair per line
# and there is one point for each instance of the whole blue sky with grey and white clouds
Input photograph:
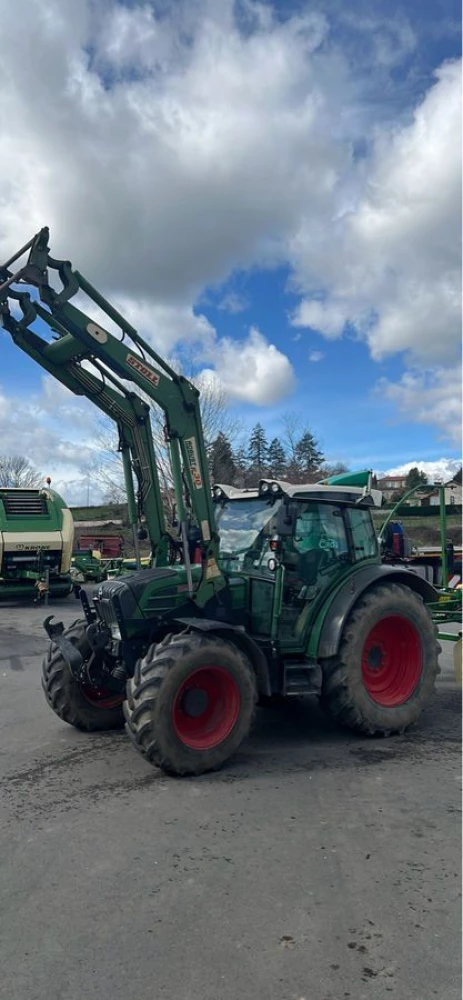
x,y
273,187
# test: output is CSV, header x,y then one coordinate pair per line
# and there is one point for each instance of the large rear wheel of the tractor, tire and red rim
x,y
384,673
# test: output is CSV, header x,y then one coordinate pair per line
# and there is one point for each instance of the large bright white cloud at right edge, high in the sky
x,y
389,262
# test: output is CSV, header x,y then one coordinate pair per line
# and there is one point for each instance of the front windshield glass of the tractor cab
x,y
245,527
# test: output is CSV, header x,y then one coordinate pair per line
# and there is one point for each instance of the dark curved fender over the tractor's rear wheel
x,y
328,628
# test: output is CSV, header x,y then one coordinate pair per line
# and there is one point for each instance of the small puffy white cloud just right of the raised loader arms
x,y
251,371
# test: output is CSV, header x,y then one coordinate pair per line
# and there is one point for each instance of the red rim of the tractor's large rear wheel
x,y
392,661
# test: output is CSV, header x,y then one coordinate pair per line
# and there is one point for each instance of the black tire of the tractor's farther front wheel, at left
x,y
82,707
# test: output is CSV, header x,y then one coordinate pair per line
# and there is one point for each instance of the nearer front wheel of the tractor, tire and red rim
x,y
201,739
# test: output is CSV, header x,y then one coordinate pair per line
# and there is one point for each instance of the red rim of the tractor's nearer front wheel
x,y
206,708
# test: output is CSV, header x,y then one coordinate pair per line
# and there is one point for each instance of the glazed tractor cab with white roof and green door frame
x,y
292,545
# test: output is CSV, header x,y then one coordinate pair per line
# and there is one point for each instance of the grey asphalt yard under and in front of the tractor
x,y
316,866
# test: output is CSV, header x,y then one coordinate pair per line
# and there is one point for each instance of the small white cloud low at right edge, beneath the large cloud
x,y
429,397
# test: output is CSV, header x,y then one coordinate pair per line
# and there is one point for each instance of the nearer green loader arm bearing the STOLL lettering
x,y
80,338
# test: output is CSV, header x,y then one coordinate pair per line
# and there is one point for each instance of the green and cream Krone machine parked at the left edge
x,y
36,537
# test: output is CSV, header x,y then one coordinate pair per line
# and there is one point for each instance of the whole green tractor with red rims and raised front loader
x,y
277,590
